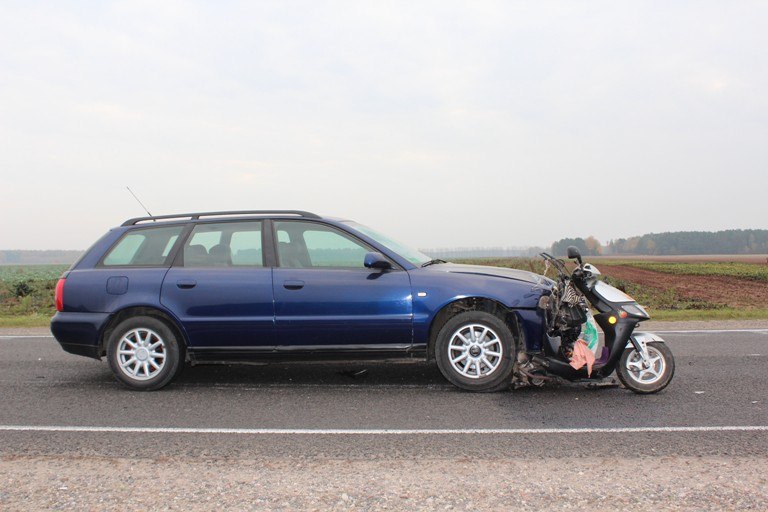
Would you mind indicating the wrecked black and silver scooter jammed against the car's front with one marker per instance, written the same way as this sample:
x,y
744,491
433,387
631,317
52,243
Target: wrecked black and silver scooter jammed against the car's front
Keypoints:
x,y
642,360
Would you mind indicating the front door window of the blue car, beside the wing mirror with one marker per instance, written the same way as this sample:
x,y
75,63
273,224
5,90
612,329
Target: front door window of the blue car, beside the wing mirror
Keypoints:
x,y
314,245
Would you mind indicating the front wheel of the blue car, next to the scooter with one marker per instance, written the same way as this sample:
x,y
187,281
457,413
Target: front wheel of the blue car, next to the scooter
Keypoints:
x,y
468,374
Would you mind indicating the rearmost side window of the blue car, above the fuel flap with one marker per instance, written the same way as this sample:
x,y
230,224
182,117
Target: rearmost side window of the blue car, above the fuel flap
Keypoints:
x,y
146,247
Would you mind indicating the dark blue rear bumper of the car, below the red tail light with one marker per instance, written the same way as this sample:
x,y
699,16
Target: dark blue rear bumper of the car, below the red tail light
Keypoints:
x,y
79,333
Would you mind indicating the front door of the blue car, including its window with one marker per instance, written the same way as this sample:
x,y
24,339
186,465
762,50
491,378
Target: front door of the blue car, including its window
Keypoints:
x,y
326,299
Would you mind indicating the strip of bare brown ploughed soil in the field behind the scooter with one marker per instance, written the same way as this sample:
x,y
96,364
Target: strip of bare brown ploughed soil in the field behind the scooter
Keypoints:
x,y
730,291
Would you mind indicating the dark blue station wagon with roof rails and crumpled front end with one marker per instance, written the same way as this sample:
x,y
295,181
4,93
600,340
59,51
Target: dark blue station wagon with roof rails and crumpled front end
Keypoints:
x,y
160,292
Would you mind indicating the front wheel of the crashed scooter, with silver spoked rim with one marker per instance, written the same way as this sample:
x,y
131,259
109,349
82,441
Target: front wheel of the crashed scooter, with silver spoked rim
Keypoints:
x,y
646,378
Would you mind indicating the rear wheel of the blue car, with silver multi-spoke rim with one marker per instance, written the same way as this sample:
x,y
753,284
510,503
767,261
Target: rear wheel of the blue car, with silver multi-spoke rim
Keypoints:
x,y
139,330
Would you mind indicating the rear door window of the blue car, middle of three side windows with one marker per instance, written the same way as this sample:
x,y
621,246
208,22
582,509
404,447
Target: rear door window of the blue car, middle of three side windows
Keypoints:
x,y
225,244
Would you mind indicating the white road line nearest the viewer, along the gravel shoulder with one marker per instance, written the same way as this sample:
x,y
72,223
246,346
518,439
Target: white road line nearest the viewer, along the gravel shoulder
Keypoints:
x,y
376,431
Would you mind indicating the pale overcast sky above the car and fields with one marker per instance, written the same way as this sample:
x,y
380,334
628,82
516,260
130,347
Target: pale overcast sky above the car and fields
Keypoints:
x,y
441,123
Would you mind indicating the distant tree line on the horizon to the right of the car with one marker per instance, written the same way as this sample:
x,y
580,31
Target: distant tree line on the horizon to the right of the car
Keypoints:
x,y
730,241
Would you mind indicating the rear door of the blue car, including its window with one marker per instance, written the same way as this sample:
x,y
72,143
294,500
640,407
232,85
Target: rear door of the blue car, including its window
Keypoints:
x,y
220,289
